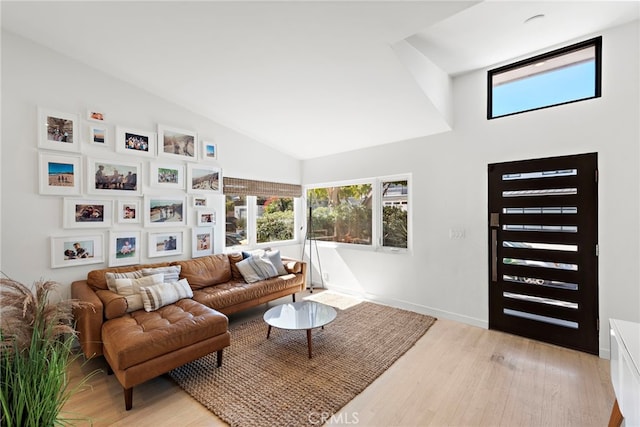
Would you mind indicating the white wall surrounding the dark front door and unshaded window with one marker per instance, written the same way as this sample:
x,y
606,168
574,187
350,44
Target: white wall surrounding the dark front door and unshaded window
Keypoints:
x,y
449,278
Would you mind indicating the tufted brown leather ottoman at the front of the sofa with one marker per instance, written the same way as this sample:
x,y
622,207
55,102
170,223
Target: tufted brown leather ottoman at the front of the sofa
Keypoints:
x,y
142,345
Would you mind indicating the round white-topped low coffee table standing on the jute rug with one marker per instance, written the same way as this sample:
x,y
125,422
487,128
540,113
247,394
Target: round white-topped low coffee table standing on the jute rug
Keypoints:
x,y
298,316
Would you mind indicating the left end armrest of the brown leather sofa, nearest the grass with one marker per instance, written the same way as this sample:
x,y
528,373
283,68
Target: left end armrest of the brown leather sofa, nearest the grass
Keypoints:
x,y
88,319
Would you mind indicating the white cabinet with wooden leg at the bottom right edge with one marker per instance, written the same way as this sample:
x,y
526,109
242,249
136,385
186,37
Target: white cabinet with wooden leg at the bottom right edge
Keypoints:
x,y
625,371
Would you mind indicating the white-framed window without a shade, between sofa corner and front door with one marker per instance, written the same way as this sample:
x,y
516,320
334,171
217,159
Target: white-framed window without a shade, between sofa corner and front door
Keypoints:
x,y
372,214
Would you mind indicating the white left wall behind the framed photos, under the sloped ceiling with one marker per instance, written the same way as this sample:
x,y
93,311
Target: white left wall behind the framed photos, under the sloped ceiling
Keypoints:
x,y
33,76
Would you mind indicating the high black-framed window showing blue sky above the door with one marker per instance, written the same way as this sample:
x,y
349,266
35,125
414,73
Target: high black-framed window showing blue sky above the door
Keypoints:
x,y
559,77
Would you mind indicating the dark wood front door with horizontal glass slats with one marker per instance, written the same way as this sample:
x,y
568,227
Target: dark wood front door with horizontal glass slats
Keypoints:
x,y
543,250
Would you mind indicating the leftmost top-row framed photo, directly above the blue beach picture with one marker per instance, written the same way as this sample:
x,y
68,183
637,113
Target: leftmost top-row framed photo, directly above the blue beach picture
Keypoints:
x,y
58,130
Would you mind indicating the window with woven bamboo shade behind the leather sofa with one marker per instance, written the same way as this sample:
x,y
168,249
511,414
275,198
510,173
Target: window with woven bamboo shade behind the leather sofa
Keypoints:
x,y
259,212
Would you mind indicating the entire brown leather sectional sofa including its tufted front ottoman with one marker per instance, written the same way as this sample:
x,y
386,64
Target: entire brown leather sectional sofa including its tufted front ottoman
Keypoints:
x,y
141,345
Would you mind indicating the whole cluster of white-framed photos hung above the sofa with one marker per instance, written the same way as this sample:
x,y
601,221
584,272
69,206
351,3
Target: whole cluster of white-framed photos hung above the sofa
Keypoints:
x,y
105,192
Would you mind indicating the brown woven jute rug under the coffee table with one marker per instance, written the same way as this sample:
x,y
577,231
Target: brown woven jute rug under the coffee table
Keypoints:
x,y
274,383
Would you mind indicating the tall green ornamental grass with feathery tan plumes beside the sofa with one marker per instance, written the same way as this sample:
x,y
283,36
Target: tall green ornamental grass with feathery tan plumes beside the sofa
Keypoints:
x,y
37,341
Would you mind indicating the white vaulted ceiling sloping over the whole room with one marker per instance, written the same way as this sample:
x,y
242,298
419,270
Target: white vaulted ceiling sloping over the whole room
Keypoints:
x,y
308,78
